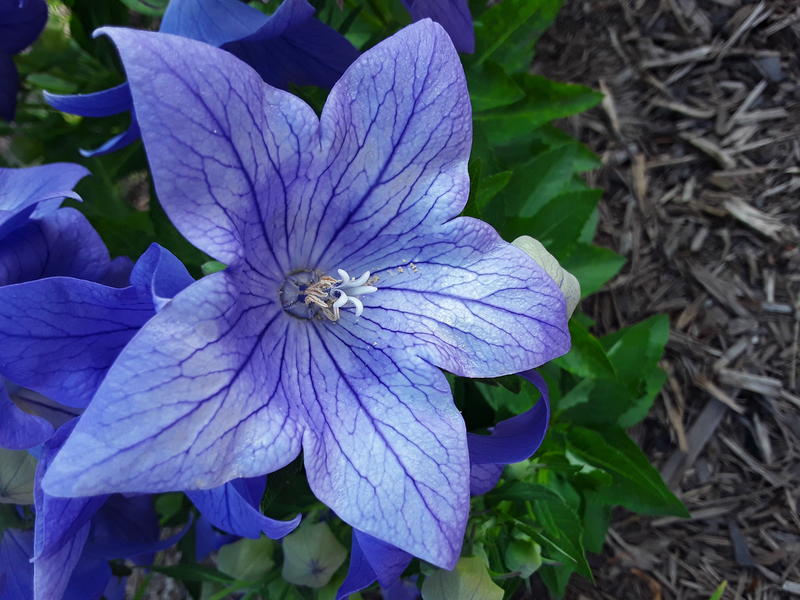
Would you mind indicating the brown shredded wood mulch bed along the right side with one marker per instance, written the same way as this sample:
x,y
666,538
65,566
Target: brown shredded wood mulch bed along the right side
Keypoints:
x,y
700,140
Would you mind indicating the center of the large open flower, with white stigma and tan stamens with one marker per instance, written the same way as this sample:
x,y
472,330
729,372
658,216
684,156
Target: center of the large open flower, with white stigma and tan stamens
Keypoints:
x,y
312,294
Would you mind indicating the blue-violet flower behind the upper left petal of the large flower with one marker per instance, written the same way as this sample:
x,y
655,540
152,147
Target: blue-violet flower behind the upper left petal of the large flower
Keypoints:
x,y
290,46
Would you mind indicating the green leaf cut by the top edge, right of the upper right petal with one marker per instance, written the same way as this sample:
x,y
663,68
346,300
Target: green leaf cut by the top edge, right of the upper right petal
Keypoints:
x,y
507,31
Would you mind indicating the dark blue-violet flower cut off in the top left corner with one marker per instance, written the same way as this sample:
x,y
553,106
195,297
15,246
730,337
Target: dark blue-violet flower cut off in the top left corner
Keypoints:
x,y
21,22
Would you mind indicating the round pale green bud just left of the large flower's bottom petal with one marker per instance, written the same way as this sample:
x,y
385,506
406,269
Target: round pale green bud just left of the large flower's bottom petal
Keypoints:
x,y
311,555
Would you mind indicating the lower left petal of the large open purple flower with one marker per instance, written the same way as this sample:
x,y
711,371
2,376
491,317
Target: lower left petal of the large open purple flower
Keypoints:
x,y
191,402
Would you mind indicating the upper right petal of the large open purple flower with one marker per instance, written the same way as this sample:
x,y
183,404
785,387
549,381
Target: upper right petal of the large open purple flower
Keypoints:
x,y
396,131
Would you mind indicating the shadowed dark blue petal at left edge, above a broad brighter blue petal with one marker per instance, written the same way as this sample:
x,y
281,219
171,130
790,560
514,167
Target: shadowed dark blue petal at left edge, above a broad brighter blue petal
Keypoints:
x,y
60,243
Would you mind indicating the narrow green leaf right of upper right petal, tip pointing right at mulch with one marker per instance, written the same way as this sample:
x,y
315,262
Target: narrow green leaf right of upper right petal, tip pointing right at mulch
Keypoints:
x,y
544,101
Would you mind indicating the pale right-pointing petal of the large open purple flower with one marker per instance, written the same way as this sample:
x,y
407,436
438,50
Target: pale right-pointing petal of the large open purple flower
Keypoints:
x,y
468,301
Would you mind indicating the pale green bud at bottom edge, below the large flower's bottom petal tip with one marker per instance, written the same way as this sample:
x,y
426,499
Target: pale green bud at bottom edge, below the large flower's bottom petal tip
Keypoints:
x,y
468,581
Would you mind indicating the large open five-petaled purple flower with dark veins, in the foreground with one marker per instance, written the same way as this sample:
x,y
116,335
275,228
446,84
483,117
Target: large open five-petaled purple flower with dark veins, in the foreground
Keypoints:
x,y
283,350
